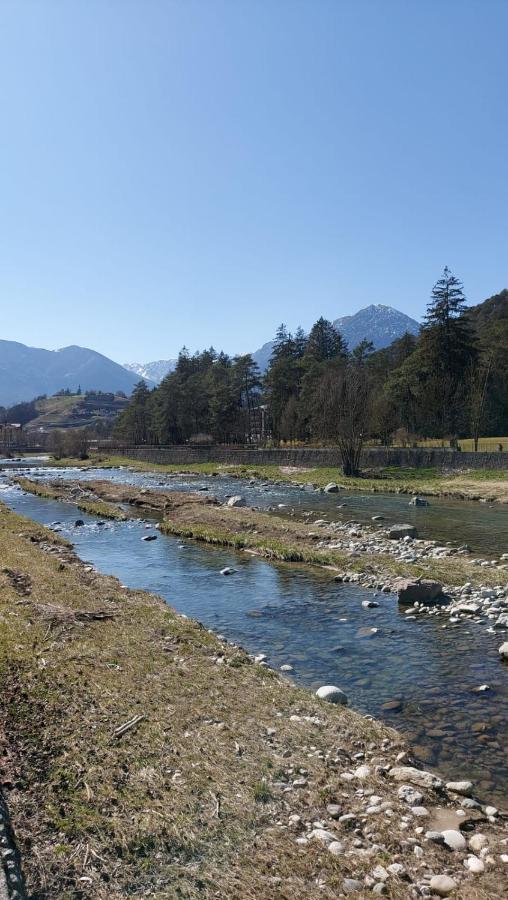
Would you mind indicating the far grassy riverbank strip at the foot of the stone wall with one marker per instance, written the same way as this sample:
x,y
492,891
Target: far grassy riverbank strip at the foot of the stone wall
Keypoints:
x,y
490,485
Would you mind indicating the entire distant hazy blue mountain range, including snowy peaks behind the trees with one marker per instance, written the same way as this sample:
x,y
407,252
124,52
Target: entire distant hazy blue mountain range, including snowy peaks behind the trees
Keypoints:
x,y
28,372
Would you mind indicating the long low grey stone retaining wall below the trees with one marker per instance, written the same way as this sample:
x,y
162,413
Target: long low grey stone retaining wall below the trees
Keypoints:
x,y
372,457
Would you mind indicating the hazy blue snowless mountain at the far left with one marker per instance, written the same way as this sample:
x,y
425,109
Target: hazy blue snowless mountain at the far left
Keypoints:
x,y
28,372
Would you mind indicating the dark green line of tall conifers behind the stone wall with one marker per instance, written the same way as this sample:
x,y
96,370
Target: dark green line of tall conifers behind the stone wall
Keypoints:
x,y
445,383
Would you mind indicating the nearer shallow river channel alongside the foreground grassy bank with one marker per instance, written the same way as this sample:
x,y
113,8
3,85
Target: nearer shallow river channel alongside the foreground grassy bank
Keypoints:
x,y
414,674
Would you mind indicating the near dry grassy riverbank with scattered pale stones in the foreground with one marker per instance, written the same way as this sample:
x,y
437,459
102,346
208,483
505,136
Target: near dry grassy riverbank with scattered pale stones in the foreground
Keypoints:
x,y
141,755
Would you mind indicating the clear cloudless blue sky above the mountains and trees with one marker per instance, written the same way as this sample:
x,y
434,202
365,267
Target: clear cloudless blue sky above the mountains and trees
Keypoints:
x,y
199,171
